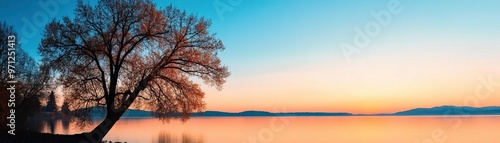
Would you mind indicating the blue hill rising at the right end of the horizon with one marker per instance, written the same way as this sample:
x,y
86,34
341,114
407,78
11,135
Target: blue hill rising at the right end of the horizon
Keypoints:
x,y
452,110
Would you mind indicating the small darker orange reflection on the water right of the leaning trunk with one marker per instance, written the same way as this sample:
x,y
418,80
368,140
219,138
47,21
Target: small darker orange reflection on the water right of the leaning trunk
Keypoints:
x,y
166,137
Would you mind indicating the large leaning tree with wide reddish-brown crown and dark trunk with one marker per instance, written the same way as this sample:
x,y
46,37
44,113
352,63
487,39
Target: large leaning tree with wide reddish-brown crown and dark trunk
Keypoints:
x,y
121,52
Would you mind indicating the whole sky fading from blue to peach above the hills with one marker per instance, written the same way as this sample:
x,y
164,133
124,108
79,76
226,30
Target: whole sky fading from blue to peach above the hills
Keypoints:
x,y
291,55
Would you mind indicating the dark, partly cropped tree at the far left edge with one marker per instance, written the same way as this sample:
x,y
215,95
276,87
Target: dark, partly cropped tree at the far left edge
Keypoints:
x,y
31,79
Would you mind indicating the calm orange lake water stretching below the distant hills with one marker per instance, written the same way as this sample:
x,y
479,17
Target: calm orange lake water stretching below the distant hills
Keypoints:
x,y
354,129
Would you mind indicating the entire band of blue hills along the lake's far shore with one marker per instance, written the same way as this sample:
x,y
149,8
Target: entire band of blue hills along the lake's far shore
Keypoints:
x,y
99,112
